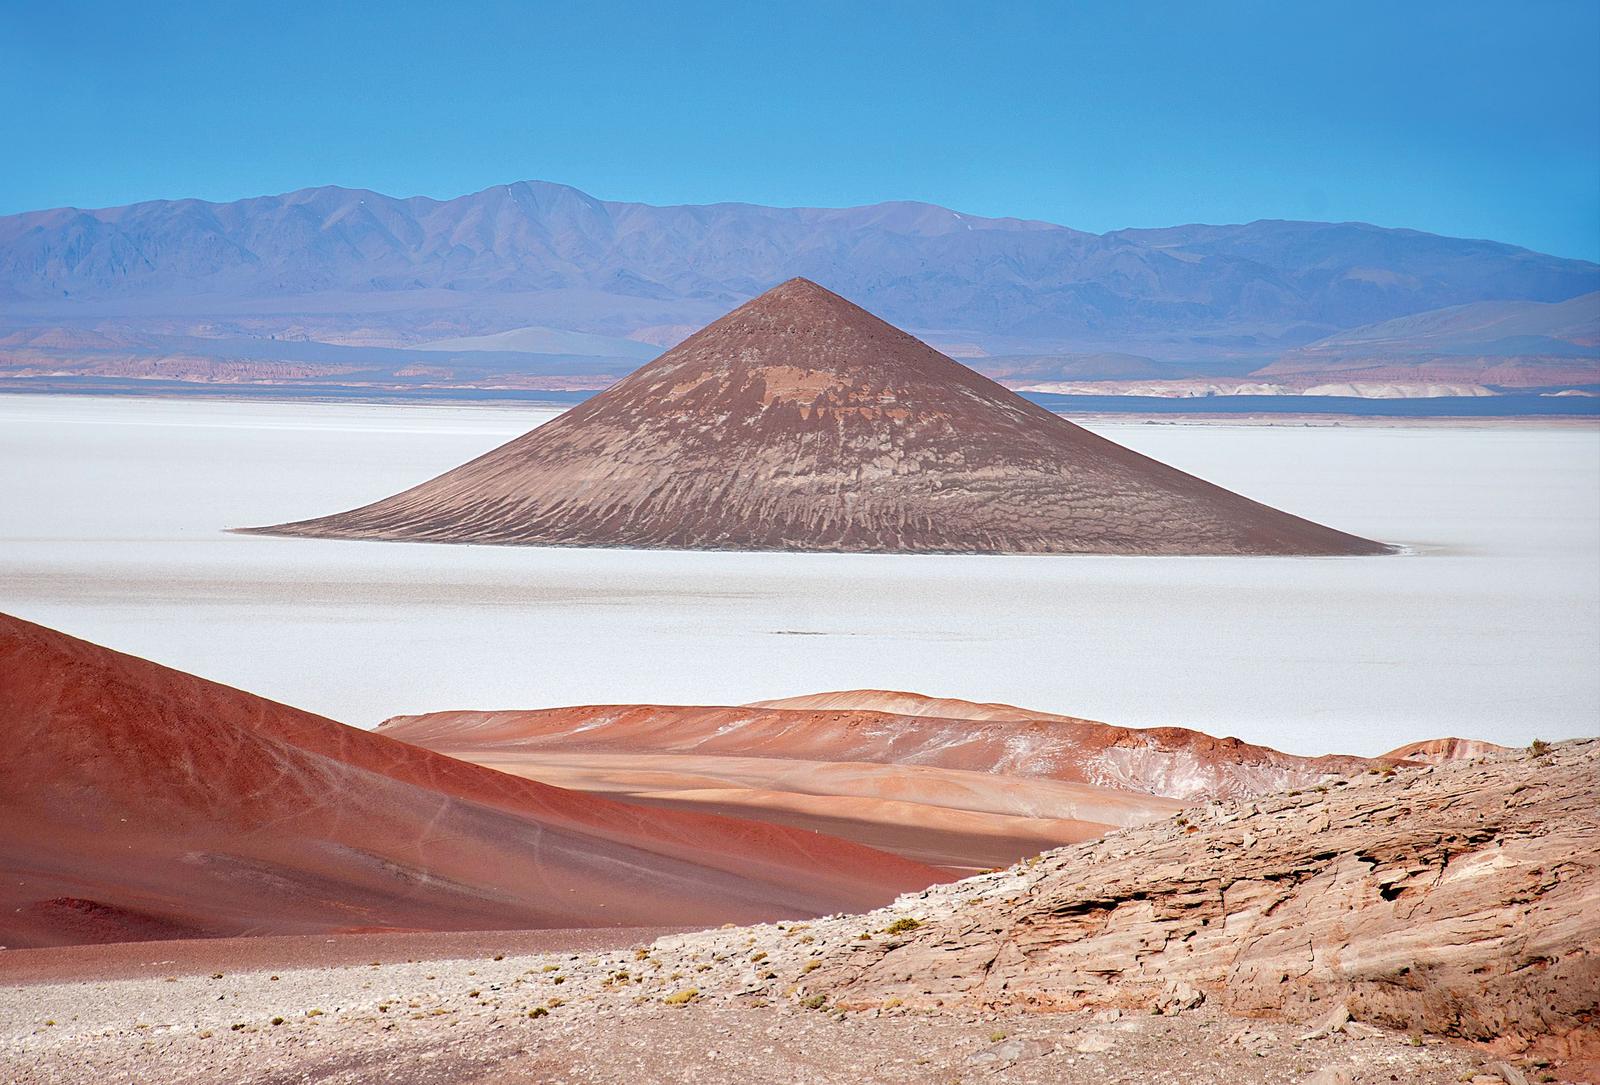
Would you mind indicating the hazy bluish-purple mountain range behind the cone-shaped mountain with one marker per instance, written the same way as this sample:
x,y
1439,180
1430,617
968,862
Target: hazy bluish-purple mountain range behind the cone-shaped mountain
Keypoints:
x,y
498,282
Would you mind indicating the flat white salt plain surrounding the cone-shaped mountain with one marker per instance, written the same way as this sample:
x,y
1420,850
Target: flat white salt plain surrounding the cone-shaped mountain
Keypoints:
x,y
114,514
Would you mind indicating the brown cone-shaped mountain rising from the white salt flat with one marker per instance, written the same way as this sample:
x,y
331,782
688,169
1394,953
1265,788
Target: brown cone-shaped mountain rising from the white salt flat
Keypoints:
x,y
804,423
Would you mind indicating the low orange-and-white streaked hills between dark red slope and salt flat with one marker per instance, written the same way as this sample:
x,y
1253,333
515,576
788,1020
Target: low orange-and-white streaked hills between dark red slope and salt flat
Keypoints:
x,y
950,783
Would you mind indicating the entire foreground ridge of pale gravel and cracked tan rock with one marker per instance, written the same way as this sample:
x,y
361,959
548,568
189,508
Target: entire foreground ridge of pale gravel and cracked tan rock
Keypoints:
x,y
1390,919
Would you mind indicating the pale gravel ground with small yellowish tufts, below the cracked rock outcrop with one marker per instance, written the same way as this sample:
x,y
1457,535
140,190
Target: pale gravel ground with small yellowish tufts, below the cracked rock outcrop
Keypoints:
x,y
727,1006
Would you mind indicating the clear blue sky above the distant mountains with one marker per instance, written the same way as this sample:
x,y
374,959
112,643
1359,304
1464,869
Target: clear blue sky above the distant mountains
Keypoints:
x,y
1468,119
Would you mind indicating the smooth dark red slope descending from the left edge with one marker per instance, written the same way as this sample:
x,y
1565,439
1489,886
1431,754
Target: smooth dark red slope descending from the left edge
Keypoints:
x,y
143,803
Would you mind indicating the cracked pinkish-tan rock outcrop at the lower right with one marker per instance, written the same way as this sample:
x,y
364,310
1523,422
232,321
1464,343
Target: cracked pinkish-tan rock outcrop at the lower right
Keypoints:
x,y
1457,900
